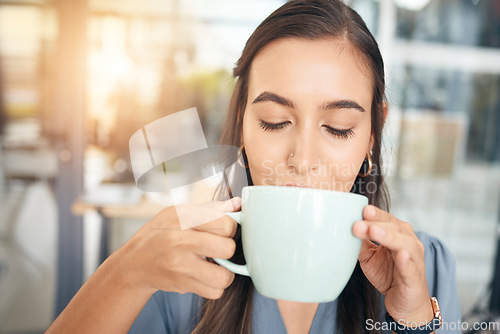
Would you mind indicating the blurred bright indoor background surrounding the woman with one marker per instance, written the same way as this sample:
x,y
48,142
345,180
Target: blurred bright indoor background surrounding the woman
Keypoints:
x,y
79,77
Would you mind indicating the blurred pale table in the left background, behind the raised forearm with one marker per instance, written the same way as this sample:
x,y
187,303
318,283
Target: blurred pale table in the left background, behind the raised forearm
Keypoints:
x,y
115,201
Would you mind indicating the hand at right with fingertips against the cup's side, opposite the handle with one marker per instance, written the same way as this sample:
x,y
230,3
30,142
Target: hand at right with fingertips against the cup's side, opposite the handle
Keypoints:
x,y
396,267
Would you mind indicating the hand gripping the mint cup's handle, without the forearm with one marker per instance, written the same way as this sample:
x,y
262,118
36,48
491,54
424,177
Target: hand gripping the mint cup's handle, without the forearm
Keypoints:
x,y
162,256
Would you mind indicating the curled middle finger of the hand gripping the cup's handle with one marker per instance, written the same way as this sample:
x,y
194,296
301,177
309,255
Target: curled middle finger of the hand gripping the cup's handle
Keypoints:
x,y
211,245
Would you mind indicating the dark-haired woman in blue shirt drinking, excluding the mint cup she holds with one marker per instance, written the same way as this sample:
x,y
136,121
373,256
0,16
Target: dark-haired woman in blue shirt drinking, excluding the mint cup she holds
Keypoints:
x,y
308,110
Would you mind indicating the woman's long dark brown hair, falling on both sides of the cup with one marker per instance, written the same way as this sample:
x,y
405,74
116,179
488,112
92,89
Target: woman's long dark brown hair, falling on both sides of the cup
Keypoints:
x,y
309,19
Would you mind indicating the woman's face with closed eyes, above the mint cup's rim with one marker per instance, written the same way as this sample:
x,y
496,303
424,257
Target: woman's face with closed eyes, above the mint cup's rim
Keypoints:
x,y
311,99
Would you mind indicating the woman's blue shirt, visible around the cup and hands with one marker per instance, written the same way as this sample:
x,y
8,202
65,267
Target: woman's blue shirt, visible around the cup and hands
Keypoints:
x,y
172,313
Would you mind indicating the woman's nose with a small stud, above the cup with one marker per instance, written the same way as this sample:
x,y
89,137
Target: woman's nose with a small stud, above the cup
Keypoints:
x,y
305,147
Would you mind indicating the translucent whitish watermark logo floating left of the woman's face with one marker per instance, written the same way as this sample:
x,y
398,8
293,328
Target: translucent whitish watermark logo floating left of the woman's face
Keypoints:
x,y
171,155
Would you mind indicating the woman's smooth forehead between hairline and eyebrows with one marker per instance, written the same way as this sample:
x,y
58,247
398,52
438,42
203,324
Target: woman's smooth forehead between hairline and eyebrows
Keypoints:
x,y
321,66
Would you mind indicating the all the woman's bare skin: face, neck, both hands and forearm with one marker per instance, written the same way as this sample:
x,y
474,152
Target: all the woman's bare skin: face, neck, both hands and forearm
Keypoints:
x,y
162,256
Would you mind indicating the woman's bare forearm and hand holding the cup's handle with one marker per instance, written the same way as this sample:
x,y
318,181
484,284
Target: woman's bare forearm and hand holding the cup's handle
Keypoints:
x,y
159,256
